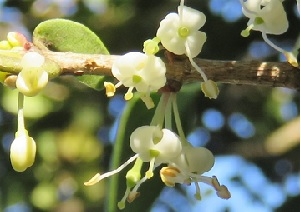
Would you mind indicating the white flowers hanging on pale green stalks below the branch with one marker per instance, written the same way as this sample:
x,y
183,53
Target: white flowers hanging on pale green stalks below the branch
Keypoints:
x,y
157,144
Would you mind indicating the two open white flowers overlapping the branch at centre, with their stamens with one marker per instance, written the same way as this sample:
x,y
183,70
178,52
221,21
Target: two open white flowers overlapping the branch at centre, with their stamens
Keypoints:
x,y
178,33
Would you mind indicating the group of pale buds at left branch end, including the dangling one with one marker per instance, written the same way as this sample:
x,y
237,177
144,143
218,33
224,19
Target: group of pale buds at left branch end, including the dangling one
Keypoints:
x,y
29,82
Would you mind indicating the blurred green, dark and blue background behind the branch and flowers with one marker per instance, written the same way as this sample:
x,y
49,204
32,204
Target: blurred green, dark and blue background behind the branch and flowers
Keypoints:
x,y
254,132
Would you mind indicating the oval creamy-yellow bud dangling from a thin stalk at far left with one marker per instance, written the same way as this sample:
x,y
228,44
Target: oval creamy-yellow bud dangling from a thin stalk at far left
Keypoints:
x,y
22,151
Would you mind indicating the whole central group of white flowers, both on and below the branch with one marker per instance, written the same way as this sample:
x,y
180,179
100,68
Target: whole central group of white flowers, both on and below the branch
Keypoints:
x,y
157,143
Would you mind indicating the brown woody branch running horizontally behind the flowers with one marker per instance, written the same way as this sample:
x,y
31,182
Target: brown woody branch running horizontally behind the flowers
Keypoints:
x,y
179,69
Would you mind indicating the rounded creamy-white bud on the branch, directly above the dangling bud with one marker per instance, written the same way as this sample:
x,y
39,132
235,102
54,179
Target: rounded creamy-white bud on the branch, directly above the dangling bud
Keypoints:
x,y
32,78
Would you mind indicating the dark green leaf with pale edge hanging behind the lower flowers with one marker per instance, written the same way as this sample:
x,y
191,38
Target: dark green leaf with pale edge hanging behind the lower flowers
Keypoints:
x,y
134,115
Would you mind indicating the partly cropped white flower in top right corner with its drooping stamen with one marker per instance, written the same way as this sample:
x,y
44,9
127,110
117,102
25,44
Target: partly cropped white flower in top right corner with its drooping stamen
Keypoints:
x,y
268,17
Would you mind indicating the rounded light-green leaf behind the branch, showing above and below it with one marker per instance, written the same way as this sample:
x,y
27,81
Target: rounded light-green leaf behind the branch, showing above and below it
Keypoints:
x,y
63,35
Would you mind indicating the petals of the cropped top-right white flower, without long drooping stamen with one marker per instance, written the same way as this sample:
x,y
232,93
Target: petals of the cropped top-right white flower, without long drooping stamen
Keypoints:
x,y
267,16
